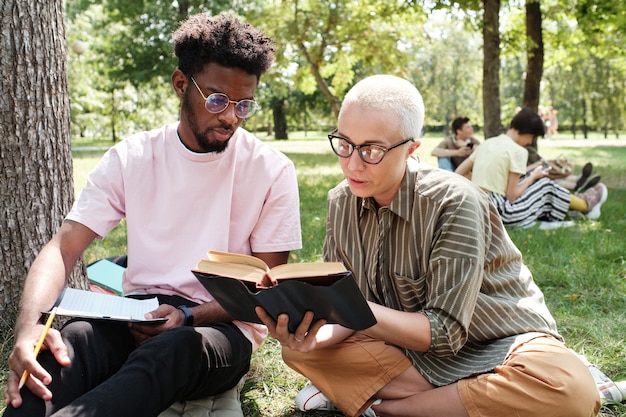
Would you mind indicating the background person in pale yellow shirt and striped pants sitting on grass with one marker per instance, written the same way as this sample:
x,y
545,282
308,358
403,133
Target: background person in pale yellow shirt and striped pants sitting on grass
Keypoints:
x,y
499,168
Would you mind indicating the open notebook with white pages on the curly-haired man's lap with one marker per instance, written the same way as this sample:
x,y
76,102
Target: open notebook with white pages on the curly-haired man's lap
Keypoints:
x,y
87,304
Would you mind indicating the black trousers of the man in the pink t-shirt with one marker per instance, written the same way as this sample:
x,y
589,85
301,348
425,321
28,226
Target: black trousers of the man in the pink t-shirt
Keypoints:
x,y
110,376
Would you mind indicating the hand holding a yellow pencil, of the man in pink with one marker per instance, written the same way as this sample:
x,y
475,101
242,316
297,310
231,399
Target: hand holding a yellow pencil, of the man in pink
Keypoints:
x,y
23,359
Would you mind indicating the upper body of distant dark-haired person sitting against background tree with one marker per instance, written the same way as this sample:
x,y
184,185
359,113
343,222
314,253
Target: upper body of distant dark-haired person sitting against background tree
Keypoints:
x,y
454,149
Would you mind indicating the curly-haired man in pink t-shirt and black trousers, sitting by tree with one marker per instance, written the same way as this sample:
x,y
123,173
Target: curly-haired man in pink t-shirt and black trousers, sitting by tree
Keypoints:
x,y
201,183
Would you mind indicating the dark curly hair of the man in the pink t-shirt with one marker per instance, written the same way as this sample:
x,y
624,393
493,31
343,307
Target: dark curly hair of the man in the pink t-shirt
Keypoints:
x,y
224,40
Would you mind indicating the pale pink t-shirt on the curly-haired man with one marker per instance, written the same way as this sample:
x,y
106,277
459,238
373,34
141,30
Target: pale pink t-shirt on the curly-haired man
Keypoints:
x,y
178,204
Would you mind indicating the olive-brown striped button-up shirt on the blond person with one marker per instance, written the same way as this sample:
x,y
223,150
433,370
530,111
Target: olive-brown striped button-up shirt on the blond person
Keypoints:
x,y
440,249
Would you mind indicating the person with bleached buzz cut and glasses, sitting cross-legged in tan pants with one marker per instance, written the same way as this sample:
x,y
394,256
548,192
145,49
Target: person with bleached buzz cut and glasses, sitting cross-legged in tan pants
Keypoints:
x,y
462,329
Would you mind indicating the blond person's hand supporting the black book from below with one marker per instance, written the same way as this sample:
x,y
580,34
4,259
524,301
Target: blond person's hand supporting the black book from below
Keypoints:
x,y
303,340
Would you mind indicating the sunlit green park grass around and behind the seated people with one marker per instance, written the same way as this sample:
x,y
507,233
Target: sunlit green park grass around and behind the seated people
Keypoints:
x,y
581,269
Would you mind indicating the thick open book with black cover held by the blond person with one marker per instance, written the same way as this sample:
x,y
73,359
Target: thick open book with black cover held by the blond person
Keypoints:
x,y
239,283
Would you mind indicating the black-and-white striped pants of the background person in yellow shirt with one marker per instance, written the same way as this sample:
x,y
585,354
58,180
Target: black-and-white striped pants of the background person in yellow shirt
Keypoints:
x,y
544,200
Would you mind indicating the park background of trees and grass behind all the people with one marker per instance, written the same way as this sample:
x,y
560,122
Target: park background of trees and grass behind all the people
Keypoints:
x,y
83,74
